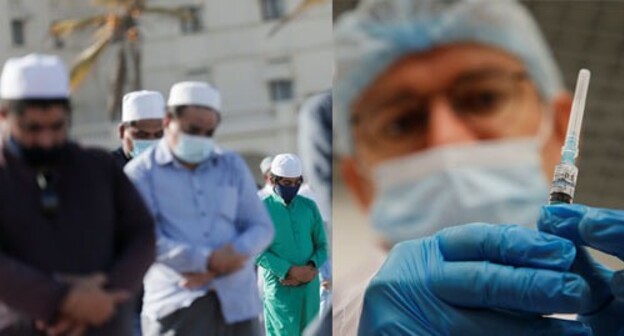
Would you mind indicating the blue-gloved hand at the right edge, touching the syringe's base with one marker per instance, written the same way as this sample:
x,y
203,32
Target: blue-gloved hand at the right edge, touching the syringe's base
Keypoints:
x,y
602,229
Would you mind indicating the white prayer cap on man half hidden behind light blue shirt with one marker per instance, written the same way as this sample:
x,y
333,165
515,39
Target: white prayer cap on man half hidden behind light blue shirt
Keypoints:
x,y
139,105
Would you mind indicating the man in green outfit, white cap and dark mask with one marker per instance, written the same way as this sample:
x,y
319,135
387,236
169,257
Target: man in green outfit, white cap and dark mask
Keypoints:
x,y
290,264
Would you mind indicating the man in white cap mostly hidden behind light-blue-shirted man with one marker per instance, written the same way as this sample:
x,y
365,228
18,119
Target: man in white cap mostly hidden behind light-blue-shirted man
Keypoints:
x,y
141,126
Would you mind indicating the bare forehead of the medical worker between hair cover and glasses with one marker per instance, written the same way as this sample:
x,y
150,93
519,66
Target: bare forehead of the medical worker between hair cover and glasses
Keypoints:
x,y
438,68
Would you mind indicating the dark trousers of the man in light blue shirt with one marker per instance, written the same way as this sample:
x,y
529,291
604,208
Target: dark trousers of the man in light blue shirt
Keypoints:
x,y
202,318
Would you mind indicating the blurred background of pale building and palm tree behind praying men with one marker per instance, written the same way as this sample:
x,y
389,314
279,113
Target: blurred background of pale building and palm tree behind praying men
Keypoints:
x,y
265,56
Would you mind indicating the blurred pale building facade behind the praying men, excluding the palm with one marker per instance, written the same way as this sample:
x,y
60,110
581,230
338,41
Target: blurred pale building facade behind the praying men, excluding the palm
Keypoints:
x,y
263,79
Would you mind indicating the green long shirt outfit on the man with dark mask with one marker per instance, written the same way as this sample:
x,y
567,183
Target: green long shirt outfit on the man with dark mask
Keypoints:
x,y
299,239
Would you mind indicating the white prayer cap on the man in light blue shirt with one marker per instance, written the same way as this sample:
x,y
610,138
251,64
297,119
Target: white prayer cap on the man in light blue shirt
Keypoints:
x,y
194,93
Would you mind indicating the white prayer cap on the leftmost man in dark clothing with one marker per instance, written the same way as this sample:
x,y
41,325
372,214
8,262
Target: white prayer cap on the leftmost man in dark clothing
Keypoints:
x,y
34,76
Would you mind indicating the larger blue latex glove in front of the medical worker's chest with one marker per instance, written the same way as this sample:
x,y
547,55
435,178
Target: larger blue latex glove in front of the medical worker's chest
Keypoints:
x,y
476,279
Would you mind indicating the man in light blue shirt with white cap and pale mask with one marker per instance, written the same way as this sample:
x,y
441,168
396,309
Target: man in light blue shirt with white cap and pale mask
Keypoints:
x,y
209,223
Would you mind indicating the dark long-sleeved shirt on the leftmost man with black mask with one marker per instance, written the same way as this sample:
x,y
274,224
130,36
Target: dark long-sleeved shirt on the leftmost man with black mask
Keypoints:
x,y
101,225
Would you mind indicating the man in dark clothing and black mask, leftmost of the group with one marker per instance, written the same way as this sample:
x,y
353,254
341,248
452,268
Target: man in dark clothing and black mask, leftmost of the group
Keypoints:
x,y
75,236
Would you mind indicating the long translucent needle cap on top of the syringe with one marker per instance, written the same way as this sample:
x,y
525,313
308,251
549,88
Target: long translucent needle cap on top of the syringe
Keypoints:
x,y
570,147
